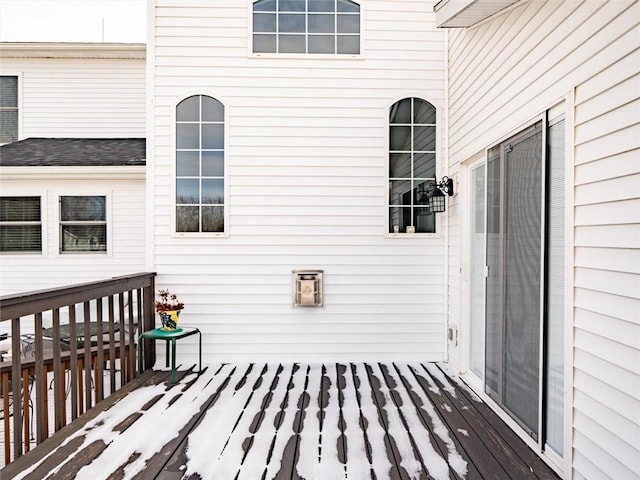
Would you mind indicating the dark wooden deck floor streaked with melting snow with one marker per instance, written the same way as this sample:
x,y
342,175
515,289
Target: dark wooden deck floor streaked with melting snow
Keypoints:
x,y
325,422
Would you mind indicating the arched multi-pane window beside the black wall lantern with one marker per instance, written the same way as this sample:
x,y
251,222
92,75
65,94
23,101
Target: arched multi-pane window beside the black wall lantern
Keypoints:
x,y
412,165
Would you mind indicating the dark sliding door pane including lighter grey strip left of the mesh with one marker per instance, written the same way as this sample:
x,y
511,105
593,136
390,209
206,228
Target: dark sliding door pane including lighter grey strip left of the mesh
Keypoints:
x,y
514,257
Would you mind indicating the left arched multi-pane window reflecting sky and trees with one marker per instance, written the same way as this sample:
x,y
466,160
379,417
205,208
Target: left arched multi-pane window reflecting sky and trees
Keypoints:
x,y
200,165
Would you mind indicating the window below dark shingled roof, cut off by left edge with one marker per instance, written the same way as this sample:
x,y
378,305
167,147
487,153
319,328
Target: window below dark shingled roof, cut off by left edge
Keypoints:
x,y
20,225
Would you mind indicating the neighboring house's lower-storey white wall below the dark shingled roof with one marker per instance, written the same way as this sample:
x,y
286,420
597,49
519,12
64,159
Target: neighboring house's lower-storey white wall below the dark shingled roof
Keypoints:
x,y
125,195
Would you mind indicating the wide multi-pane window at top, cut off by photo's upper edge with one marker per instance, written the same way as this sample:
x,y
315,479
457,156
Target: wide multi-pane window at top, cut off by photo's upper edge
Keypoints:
x,y
306,26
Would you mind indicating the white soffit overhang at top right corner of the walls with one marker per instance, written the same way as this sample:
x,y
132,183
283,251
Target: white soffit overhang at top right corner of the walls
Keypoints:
x,y
465,13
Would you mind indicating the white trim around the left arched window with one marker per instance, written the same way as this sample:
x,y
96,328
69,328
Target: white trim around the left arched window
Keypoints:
x,y
172,168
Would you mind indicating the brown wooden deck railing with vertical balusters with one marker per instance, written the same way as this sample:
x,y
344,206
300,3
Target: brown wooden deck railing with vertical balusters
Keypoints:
x,y
70,347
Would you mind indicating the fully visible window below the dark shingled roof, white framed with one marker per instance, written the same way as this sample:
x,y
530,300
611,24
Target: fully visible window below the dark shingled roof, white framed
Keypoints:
x,y
83,224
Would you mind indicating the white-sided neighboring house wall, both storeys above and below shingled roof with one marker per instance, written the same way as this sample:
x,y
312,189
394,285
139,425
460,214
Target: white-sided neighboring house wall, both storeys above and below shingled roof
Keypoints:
x,y
77,91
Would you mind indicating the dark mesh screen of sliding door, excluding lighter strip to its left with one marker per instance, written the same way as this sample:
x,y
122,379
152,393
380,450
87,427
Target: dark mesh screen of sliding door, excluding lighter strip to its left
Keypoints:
x,y
522,270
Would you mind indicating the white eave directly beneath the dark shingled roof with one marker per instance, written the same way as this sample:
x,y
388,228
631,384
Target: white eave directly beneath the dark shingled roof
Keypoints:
x,y
118,172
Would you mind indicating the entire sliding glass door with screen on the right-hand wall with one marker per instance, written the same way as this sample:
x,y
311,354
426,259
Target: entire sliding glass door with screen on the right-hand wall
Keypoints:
x,y
516,278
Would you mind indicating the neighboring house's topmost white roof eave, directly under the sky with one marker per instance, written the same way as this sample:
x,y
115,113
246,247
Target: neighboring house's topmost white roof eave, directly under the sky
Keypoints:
x,y
134,51
